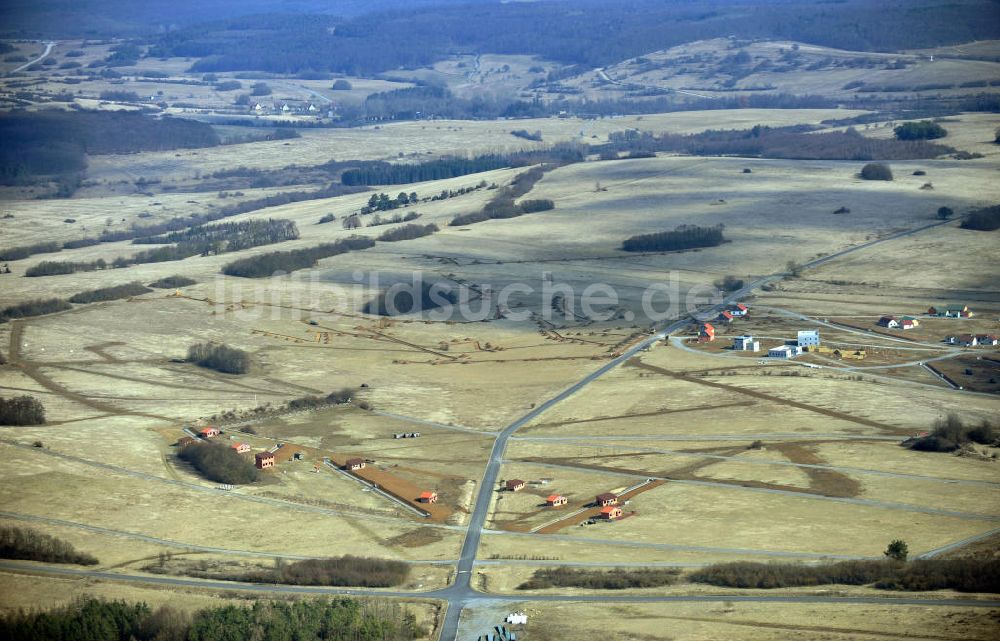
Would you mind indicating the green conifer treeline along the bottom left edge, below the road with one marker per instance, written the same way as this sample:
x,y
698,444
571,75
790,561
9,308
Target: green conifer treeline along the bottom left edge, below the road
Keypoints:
x,y
337,619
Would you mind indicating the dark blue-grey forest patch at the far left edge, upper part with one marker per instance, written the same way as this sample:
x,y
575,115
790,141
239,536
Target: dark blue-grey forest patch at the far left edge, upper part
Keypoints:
x,y
56,143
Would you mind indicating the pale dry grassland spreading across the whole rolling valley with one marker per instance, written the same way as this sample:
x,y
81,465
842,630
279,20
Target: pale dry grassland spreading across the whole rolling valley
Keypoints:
x,y
722,456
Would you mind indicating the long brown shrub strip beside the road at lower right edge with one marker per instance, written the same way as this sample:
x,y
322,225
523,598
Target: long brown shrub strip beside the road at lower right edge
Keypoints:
x,y
964,575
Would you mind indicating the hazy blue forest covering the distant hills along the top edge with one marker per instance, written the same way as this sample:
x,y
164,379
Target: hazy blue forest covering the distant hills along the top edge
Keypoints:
x,y
589,32
